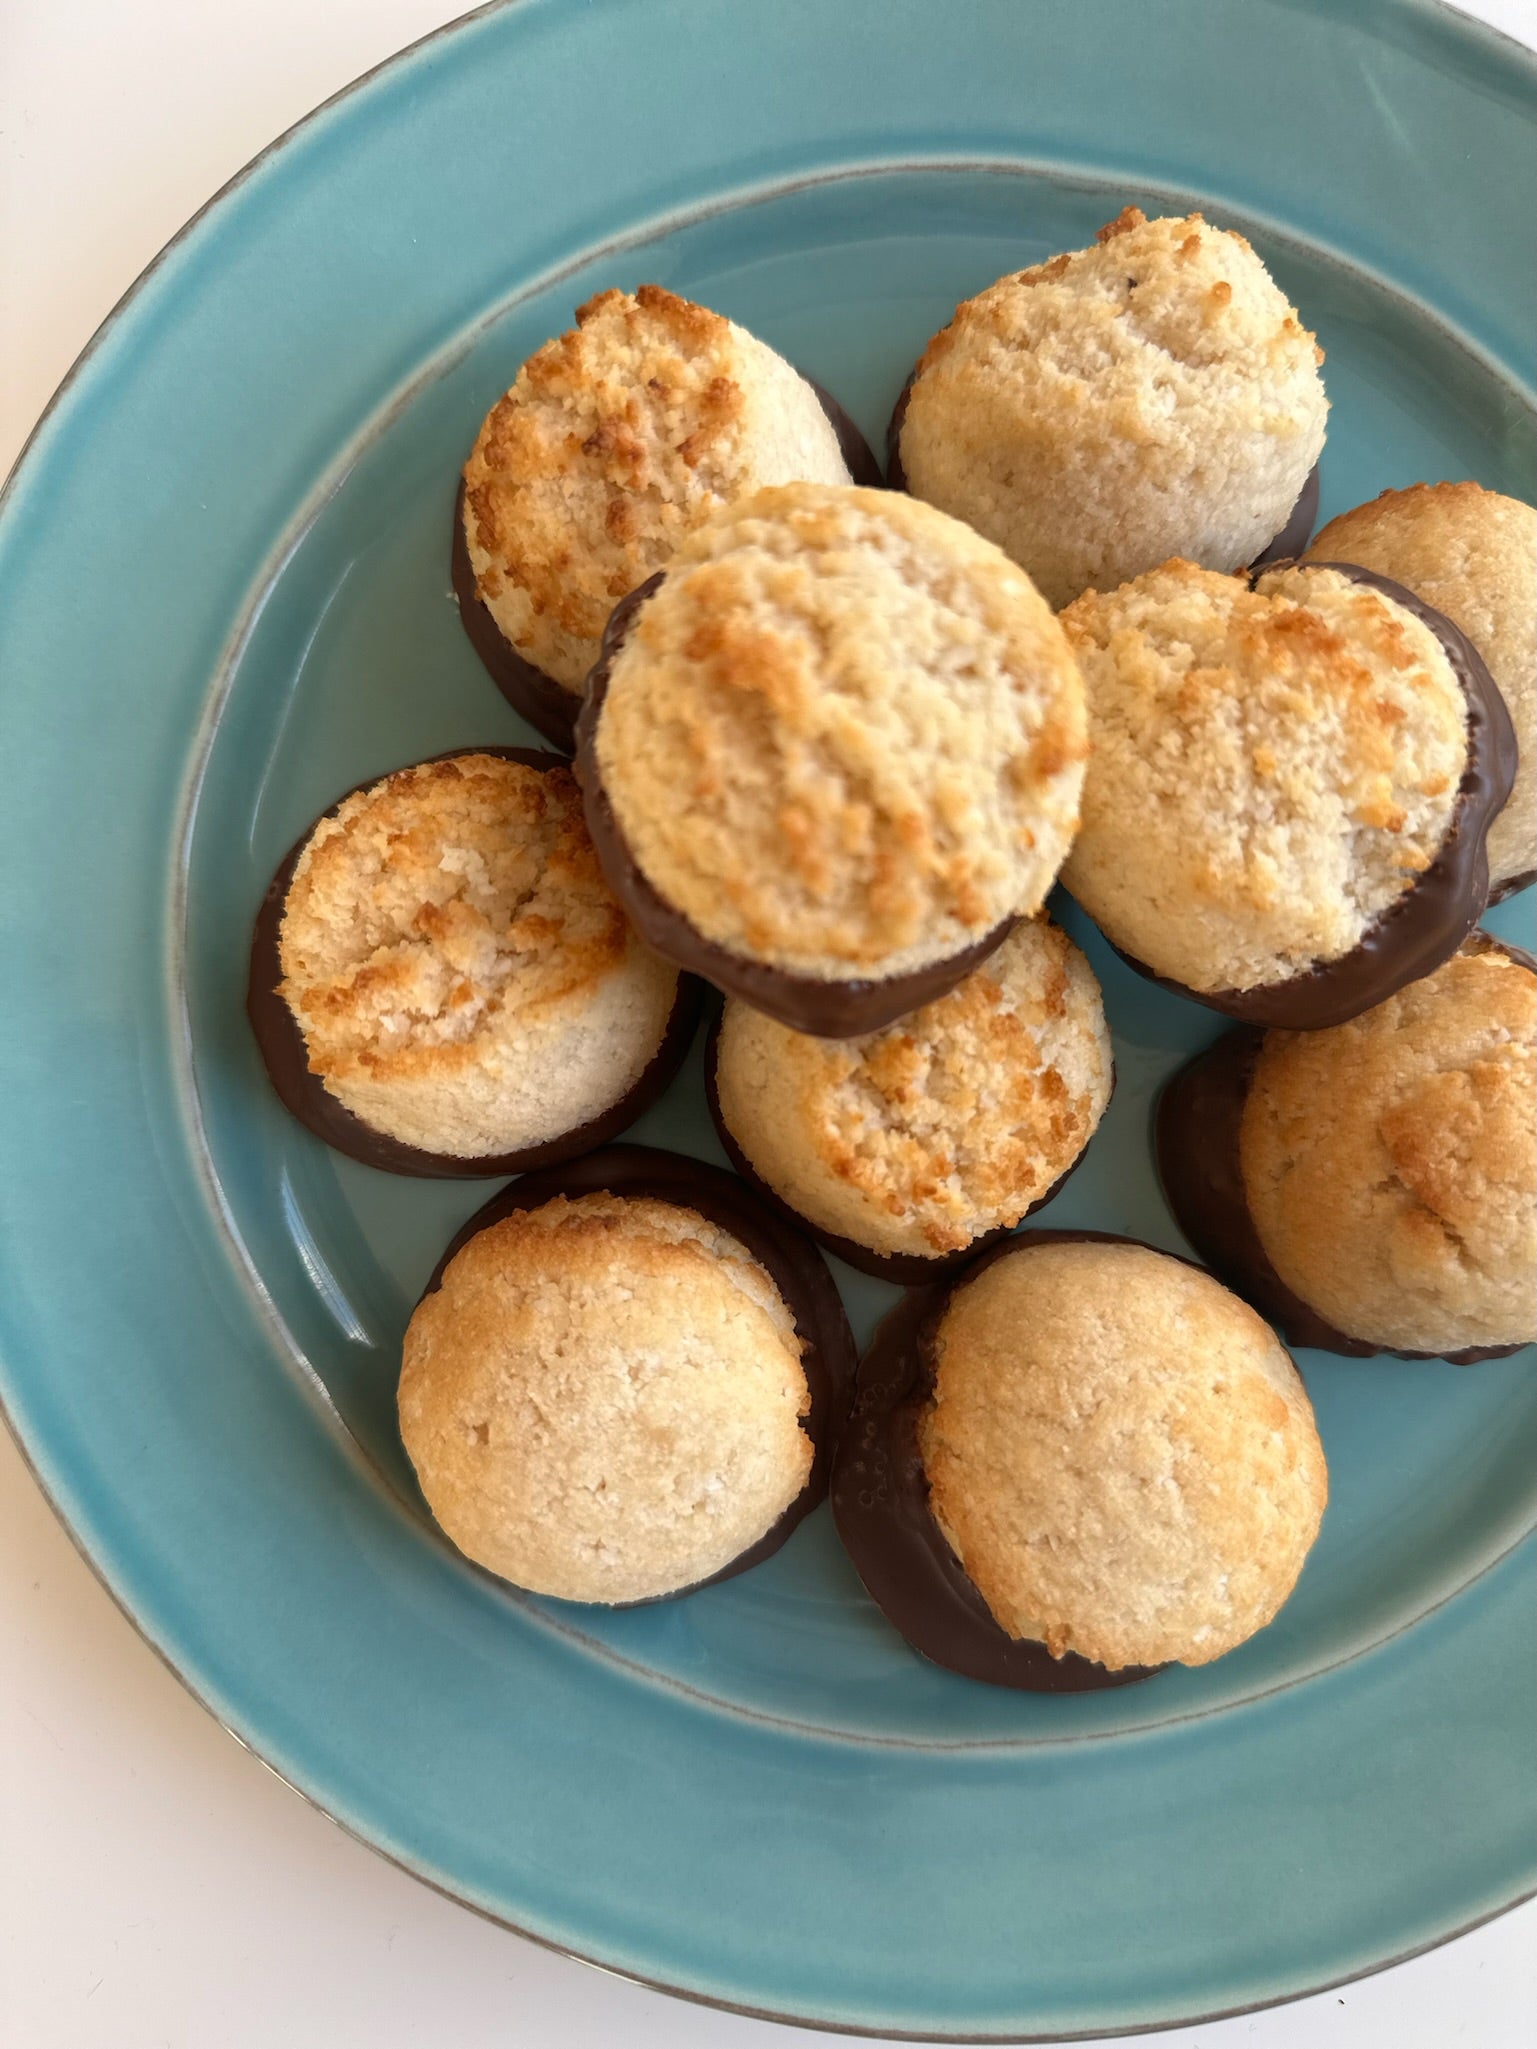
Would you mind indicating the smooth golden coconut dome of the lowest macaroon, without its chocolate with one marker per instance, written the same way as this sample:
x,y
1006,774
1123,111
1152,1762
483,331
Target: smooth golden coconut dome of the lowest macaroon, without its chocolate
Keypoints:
x,y
1120,1454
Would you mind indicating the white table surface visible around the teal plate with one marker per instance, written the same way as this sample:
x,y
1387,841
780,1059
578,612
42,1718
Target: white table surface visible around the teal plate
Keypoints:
x,y
159,1888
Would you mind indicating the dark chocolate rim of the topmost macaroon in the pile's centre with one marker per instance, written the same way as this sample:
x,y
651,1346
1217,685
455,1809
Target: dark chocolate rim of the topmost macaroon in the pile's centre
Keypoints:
x,y
804,1003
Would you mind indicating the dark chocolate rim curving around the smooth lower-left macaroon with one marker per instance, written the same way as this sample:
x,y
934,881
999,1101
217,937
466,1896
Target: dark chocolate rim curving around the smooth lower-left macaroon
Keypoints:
x,y
794,1267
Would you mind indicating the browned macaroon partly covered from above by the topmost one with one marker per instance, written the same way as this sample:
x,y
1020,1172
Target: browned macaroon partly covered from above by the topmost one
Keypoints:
x,y
905,1148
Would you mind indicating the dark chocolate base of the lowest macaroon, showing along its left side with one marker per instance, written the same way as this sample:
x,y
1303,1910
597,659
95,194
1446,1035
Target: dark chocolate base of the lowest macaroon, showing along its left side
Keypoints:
x,y
880,1503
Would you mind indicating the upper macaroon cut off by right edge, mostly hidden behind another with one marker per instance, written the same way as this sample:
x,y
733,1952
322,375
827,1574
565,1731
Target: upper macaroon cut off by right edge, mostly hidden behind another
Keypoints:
x,y
1470,554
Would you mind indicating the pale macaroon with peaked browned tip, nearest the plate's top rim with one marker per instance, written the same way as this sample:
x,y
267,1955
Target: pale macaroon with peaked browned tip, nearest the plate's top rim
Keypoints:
x,y
1099,413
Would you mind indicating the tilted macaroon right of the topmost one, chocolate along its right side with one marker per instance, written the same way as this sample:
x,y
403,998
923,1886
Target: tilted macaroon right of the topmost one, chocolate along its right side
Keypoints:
x,y
1290,788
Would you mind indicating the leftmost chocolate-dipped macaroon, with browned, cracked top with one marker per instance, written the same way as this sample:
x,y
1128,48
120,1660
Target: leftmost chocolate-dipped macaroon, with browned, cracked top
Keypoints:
x,y
444,985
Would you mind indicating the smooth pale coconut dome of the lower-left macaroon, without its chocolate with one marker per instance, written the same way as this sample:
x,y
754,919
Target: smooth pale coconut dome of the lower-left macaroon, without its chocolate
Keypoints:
x,y
604,1400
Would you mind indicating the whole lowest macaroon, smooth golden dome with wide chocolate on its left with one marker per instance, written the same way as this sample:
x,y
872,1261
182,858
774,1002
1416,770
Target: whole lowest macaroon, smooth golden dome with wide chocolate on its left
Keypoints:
x,y
1079,1462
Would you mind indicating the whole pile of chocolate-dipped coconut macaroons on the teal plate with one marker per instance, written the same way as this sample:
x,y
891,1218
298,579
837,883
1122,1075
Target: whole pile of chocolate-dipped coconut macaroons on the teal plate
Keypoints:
x,y
835,745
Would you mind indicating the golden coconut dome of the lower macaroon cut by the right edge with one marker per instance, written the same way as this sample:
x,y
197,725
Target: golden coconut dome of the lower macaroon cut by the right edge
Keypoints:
x,y
1390,1163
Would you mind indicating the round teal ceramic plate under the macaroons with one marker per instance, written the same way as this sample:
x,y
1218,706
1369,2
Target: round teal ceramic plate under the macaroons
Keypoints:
x,y
224,597
